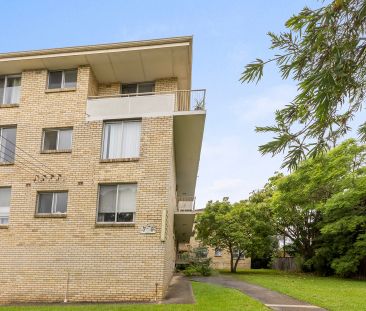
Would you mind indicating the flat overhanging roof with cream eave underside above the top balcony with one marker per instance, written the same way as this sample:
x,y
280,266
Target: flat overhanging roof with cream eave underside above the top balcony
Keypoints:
x,y
131,61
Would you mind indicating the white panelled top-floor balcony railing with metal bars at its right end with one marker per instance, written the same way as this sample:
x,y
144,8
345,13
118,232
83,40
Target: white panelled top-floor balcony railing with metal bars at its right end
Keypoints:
x,y
144,104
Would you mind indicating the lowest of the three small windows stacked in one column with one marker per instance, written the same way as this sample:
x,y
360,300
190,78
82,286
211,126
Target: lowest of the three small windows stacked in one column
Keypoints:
x,y
52,202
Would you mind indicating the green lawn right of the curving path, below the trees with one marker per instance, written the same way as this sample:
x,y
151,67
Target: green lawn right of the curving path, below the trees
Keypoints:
x,y
329,292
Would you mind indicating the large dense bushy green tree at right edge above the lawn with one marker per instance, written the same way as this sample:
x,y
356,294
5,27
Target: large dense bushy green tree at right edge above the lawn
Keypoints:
x,y
320,207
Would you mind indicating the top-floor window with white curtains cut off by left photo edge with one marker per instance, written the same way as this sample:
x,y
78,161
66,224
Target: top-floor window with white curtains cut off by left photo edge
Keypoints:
x,y
10,90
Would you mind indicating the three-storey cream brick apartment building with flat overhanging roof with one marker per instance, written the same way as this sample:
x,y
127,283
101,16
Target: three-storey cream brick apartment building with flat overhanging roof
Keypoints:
x,y
99,153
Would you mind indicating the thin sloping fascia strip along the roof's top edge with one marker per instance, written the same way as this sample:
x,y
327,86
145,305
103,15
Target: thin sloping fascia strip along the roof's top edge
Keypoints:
x,y
96,47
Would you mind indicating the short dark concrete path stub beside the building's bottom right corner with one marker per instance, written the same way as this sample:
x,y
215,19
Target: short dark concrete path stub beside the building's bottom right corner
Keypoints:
x,y
179,291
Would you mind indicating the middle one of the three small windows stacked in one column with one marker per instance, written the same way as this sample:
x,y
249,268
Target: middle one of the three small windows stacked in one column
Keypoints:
x,y
57,139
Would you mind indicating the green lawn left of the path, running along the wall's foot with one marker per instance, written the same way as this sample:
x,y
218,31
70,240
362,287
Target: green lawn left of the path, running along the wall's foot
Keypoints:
x,y
208,298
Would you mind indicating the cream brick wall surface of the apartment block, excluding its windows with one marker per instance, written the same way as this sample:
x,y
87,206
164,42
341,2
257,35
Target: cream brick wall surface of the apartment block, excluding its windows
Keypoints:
x,y
103,263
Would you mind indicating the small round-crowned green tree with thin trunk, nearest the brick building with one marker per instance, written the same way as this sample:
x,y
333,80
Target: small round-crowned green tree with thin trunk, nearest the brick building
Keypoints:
x,y
240,228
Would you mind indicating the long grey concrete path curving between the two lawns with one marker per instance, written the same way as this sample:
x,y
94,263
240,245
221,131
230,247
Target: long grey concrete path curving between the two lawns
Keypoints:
x,y
271,299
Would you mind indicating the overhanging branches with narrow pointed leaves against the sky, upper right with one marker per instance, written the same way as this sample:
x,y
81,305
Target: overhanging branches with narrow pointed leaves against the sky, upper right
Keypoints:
x,y
324,50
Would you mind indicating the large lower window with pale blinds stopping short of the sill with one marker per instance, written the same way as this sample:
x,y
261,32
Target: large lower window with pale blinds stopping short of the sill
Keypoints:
x,y
117,203
